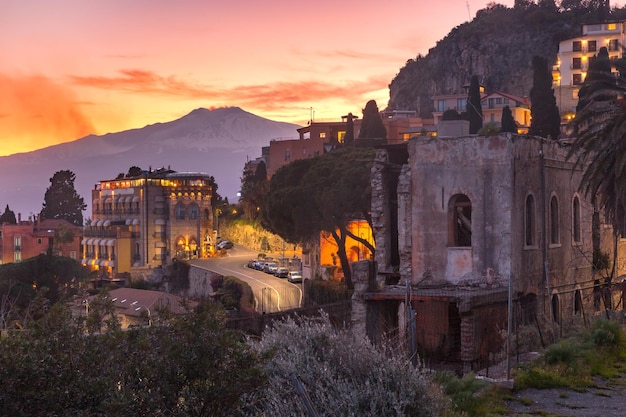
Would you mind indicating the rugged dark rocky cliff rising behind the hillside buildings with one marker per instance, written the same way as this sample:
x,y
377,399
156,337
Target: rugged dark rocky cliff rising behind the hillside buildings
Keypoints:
x,y
497,46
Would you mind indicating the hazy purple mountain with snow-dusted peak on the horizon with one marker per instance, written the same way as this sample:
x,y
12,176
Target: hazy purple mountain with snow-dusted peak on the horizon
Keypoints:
x,y
218,142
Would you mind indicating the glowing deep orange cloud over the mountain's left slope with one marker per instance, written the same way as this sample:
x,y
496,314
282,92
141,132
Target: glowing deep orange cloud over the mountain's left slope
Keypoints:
x,y
37,112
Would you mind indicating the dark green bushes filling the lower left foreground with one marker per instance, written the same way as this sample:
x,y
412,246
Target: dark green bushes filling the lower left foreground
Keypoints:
x,y
192,366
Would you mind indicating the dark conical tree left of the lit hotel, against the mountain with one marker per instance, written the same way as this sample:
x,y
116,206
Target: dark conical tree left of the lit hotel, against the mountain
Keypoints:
x,y
61,200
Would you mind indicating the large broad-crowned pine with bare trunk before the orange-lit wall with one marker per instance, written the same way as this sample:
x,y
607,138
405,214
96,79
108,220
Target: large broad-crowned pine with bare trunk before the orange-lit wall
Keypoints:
x,y
318,194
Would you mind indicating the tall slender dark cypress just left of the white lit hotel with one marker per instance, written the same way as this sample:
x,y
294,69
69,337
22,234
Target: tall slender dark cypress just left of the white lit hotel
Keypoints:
x,y
545,119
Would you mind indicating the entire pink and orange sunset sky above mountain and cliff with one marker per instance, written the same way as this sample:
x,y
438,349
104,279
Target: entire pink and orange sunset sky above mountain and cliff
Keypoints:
x,y
69,68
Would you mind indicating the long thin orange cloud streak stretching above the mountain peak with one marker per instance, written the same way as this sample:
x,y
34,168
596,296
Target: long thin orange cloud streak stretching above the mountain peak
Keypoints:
x,y
272,96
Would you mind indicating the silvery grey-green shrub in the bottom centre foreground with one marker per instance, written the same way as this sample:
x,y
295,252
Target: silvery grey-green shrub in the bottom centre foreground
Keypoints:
x,y
343,375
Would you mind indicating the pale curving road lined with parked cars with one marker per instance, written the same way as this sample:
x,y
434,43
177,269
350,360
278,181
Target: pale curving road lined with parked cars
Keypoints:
x,y
271,294
